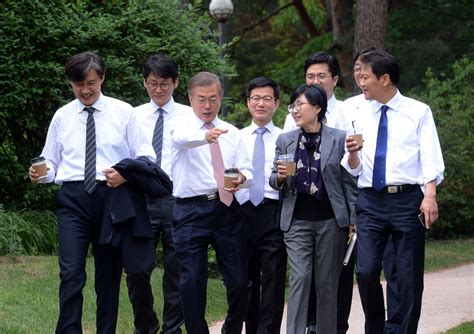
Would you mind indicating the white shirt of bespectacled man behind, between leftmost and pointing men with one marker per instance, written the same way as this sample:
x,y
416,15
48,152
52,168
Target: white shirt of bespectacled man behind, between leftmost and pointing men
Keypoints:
x,y
174,112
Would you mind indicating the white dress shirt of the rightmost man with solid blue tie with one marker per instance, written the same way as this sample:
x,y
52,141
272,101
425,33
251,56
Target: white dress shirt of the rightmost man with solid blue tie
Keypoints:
x,y
413,150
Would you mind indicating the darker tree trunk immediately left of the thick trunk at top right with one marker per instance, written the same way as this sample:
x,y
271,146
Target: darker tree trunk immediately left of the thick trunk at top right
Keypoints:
x,y
342,30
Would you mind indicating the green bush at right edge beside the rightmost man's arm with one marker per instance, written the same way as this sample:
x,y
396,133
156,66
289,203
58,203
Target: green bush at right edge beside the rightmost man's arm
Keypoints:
x,y
449,96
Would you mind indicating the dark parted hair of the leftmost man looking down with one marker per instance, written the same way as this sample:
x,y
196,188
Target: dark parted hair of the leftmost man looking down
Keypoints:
x,y
77,66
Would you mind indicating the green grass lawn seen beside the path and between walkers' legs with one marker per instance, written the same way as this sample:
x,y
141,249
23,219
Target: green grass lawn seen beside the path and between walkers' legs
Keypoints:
x,y
29,291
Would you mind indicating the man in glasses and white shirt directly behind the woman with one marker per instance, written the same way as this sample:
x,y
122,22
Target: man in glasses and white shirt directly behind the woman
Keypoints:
x,y
322,69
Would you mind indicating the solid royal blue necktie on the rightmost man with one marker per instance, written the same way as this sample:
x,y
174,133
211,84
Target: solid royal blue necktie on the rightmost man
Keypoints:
x,y
380,160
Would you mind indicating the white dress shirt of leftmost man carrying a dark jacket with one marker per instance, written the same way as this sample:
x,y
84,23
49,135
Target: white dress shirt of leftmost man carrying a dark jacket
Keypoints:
x,y
118,136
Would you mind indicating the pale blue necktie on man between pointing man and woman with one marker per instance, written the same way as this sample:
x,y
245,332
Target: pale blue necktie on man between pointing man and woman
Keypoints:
x,y
258,182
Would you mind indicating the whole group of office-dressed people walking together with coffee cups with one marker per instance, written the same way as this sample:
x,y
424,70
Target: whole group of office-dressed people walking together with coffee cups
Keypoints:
x,y
132,177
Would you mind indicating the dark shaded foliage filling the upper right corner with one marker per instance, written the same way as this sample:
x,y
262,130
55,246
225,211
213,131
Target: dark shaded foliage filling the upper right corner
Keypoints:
x,y
418,41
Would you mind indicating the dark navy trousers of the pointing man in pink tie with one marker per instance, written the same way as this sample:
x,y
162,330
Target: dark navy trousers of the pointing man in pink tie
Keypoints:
x,y
198,225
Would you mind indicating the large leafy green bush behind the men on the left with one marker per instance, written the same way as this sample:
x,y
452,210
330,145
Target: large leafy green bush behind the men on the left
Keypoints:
x,y
38,37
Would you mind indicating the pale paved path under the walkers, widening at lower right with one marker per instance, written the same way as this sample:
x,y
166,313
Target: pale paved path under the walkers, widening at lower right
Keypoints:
x,y
448,300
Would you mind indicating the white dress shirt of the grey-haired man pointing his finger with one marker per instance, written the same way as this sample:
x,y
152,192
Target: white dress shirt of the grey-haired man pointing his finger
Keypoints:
x,y
191,167
